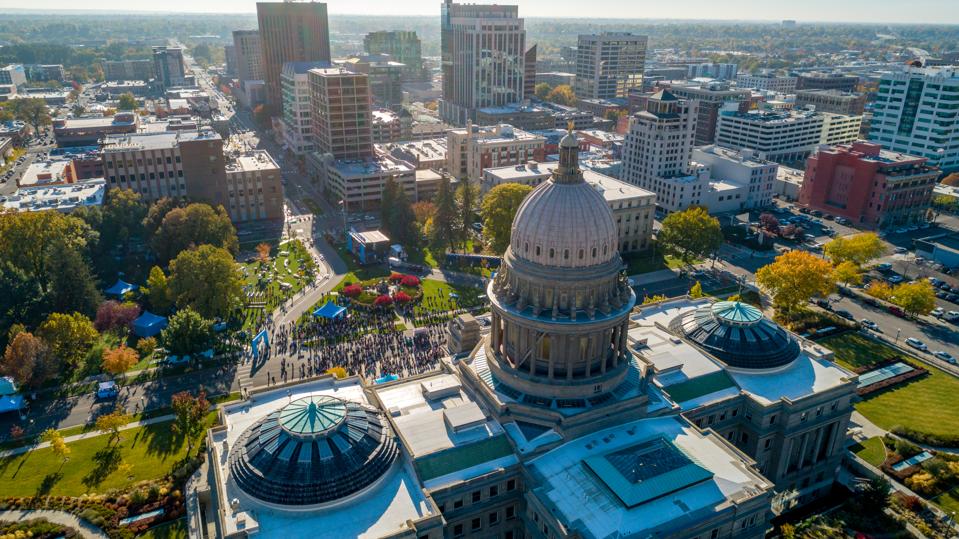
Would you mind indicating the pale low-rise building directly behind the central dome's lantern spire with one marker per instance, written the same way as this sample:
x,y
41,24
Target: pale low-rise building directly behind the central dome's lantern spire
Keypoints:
x,y
633,208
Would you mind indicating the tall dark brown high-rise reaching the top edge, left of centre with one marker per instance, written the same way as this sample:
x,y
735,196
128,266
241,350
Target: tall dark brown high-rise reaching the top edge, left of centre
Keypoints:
x,y
290,32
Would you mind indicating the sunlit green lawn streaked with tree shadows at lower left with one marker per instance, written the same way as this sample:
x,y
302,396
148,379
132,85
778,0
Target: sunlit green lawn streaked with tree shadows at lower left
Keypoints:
x,y
94,465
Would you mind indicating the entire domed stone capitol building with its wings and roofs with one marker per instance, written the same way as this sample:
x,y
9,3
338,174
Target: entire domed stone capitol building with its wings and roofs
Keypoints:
x,y
578,414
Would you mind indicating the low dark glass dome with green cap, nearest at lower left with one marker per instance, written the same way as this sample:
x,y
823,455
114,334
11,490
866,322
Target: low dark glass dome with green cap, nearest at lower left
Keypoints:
x,y
314,450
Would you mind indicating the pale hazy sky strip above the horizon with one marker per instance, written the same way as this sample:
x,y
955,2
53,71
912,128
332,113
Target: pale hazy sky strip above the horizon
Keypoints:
x,y
933,11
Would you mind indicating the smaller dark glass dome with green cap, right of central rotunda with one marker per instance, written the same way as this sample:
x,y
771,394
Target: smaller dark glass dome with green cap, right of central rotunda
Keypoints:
x,y
739,335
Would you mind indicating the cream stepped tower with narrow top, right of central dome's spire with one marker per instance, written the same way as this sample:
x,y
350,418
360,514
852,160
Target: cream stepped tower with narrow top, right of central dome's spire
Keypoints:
x,y
660,141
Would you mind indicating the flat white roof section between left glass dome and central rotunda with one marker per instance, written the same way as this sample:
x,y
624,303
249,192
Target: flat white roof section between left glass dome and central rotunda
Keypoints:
x,y
448,435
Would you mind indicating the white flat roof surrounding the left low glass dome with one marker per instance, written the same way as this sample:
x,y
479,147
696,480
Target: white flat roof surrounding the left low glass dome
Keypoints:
x,y
382,508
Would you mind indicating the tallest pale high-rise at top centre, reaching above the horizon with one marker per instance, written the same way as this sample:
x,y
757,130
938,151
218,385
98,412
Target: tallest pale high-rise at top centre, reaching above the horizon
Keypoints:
x,y
483,58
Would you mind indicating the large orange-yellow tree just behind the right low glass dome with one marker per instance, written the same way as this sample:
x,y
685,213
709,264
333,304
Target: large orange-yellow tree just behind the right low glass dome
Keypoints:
x,y
794,277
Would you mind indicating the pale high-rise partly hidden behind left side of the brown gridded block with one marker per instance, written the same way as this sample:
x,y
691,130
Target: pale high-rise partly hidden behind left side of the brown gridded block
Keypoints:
x,y
296,121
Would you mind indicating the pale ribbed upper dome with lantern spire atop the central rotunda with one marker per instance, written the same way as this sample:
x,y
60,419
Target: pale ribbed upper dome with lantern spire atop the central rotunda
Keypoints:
x,y
565,222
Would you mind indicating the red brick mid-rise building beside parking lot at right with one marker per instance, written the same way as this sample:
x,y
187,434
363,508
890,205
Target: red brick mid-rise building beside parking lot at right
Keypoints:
x,y
872,187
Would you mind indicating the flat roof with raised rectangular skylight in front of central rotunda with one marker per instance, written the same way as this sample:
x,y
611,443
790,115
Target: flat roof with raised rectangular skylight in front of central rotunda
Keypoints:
x,y
643,478
